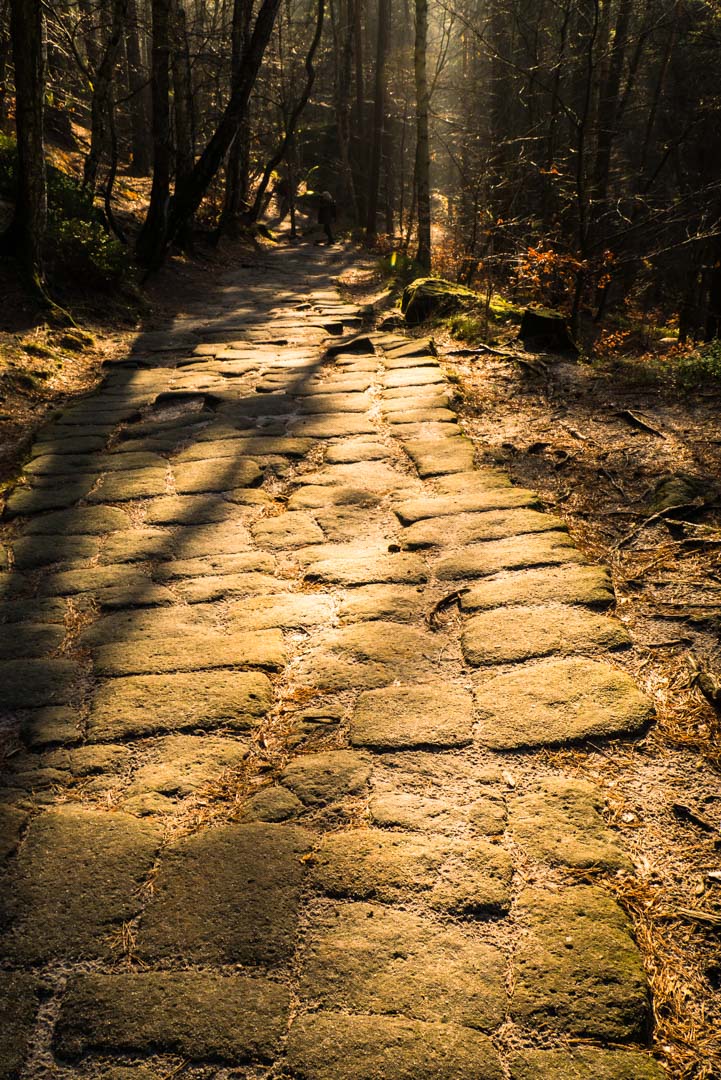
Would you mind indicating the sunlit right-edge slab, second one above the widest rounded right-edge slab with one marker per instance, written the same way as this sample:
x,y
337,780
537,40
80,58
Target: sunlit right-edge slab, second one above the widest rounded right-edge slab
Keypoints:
x,y
588,586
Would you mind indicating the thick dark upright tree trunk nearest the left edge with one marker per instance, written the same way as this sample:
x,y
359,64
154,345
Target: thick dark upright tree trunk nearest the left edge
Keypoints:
x,y
24,237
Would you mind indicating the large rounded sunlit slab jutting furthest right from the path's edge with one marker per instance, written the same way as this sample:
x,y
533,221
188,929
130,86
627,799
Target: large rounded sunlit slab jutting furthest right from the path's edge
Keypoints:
x,y
559,701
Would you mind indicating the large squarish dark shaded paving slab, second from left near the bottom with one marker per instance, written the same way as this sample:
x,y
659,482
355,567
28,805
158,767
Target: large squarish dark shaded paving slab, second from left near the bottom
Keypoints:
x,y
229,895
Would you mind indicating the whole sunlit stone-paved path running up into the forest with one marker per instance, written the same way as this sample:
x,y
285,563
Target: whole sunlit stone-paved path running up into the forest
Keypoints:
x,y
276,644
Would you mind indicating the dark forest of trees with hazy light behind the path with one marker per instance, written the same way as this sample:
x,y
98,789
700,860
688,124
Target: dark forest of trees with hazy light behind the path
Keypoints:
x,y
569,151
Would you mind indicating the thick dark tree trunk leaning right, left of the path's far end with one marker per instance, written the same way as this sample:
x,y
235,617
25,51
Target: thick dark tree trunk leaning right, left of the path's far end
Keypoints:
x,y
164,229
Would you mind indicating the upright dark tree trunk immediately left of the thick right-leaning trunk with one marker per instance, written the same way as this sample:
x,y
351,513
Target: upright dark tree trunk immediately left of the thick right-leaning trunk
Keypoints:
x,y
157,218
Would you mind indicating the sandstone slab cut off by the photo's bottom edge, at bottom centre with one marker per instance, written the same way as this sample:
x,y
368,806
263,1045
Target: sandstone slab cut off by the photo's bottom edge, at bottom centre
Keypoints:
x,y
335,1047
